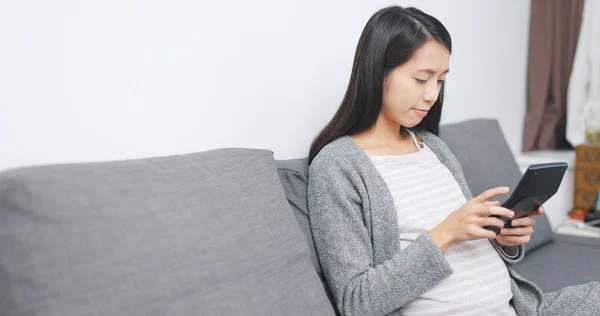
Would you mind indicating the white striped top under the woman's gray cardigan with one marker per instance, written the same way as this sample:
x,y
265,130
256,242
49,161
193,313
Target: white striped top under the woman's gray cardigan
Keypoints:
x,y
425,193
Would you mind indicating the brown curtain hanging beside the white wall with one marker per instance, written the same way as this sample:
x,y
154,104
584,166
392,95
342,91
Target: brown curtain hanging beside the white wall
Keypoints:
x,y
553,33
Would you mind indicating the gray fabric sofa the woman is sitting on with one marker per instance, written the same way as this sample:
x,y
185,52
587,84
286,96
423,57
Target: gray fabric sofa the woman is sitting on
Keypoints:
x,y
222,232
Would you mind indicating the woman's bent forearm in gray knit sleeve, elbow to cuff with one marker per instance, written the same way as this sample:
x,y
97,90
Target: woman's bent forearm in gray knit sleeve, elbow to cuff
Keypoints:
x,y
381,289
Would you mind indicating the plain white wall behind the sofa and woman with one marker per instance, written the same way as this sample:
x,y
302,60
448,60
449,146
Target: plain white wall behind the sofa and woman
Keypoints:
x,y
84,81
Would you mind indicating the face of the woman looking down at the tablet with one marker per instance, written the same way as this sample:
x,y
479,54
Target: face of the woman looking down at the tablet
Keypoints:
x,y
411,89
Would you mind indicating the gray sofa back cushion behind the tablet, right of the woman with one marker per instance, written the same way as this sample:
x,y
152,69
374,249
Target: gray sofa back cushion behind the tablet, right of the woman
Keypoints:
x,y
487,162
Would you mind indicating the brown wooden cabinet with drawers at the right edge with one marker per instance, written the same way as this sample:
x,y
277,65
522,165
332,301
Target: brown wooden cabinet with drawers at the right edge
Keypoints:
x,y
587,176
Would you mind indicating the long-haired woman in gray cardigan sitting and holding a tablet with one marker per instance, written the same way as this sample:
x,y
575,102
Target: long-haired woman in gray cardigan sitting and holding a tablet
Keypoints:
x,y
394,224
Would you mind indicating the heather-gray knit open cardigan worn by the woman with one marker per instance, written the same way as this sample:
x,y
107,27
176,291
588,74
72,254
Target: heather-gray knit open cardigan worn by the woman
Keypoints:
x,y
354,226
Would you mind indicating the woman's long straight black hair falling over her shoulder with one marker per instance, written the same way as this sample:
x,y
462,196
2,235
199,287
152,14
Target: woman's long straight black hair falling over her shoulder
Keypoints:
x,y
389,39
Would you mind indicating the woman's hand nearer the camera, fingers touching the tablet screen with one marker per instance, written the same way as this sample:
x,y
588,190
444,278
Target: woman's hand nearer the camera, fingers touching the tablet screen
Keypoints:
x,y
467,222
